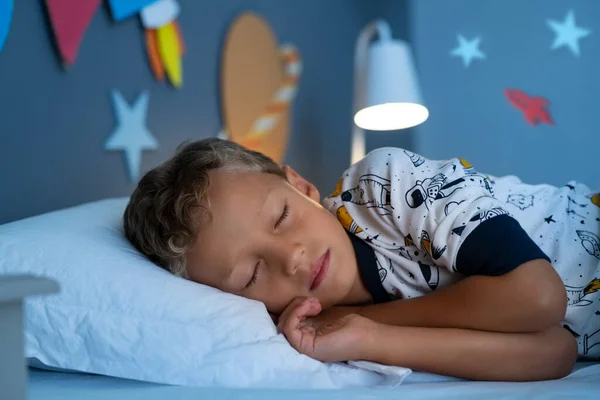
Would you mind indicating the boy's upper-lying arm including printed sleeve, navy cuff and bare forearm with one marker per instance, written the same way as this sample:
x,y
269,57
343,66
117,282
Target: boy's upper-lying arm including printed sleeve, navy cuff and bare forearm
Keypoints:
x,y
447,212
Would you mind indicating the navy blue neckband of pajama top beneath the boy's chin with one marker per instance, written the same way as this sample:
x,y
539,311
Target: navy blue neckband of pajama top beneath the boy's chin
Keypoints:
x,y
367,267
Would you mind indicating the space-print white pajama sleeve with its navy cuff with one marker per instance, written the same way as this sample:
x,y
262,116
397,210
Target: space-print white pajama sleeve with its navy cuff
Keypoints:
x,y
443,208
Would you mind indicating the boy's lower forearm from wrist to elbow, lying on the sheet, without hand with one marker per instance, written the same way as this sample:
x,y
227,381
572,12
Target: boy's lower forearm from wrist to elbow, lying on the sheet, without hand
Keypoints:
x,y
475,355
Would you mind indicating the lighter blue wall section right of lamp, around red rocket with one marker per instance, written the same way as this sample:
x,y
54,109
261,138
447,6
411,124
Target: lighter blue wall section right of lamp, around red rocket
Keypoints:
x,y
470,116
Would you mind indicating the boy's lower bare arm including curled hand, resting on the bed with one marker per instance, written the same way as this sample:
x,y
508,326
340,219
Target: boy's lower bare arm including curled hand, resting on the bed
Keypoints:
x,y
462,353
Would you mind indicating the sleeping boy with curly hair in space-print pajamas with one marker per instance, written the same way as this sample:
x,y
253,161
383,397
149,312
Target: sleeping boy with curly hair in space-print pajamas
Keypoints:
x,y
425,264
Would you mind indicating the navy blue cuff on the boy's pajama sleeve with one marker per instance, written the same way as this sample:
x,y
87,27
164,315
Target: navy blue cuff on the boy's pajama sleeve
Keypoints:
x,y
496,247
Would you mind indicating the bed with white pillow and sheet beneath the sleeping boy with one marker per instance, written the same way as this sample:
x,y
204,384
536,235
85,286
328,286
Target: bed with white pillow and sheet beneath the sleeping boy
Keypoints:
x,y
95,308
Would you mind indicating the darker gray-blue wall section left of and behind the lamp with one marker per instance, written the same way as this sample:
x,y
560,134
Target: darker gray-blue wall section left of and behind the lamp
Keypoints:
x,y
53,123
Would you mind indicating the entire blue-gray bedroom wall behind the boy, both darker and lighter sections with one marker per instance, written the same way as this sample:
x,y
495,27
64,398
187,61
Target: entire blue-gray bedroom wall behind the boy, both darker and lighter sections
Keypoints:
x,y
54,123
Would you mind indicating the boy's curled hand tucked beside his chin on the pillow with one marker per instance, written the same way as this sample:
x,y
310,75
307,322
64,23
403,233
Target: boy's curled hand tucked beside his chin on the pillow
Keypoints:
x,y
341,339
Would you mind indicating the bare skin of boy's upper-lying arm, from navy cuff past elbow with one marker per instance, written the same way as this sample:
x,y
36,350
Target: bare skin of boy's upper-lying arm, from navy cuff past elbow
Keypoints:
x,y
516,302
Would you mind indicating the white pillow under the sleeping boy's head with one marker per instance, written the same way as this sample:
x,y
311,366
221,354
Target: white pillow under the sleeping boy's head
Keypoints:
x,y
118,314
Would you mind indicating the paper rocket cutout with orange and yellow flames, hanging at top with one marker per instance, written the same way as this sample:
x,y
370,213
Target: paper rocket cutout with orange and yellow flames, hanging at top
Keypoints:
x,y
164,40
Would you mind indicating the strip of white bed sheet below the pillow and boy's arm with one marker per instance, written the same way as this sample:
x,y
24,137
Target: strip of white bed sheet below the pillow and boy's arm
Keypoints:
x,y
583,383
